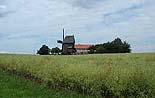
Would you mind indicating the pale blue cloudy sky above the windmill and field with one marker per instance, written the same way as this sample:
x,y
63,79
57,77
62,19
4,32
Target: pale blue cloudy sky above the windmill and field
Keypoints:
x,y
25,25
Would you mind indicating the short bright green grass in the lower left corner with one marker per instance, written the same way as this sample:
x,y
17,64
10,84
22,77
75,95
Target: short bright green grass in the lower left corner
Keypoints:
x,y
16,87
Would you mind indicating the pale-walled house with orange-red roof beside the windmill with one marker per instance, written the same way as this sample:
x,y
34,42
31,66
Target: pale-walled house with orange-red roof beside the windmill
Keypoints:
x,y
82,48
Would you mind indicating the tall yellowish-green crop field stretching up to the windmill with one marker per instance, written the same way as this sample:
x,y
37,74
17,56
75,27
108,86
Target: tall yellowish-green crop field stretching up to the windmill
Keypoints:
x,y
101,75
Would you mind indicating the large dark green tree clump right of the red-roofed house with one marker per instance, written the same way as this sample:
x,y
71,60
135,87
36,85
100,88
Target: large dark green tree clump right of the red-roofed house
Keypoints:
x,y
116,46
